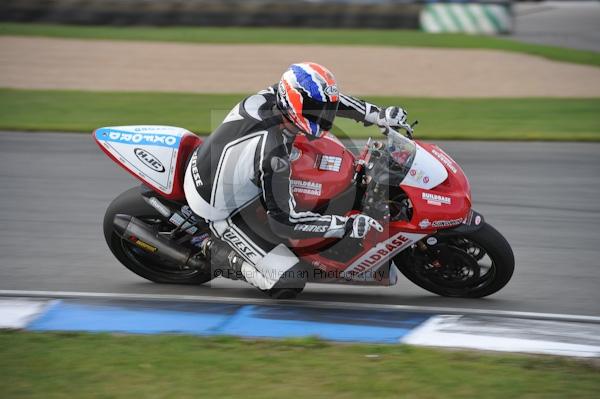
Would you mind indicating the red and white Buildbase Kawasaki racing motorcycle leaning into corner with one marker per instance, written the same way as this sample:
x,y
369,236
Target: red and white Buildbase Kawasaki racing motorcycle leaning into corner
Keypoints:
x,y
417,191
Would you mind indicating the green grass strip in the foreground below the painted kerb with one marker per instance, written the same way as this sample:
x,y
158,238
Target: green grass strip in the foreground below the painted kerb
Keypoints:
x,y
38,365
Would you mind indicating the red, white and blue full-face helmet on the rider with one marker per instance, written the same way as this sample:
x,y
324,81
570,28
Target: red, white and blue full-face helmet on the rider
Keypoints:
x,y
308,95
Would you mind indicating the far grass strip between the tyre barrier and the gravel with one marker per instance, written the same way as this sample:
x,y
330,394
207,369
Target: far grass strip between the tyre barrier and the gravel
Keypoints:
x,y
404,38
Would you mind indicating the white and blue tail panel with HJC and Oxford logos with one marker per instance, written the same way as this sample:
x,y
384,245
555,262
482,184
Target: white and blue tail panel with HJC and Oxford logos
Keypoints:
x,y
149,152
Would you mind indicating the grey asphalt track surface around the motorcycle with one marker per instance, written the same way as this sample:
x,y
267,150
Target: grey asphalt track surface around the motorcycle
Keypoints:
x,y
544,197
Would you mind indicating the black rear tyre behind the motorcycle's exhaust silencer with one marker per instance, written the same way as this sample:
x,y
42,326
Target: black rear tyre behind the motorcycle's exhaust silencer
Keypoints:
x,y
138,261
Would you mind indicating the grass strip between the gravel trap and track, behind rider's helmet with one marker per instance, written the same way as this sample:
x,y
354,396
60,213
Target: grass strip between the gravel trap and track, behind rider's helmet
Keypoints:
x,y
471,119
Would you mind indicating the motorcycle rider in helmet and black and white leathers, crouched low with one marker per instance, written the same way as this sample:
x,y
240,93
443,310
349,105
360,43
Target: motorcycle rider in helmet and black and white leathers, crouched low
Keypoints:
x,y
247,159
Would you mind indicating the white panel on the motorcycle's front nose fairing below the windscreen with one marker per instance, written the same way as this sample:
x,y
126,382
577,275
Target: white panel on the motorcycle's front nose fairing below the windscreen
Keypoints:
x,y
426,171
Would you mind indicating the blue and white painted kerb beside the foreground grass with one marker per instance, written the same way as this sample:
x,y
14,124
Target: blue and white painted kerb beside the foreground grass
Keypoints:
x,y
281,321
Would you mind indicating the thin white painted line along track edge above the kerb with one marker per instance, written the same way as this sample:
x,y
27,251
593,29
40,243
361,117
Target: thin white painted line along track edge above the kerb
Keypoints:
x,y
314,304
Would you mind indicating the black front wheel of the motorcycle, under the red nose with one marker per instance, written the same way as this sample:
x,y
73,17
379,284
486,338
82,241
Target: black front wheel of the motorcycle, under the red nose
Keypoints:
x,y
472,265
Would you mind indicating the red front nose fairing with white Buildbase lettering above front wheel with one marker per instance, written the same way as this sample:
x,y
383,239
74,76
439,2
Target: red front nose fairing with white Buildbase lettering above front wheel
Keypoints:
x,y
443,206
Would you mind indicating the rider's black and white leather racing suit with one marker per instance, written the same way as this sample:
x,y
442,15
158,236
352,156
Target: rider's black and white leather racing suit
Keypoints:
x,y
247,159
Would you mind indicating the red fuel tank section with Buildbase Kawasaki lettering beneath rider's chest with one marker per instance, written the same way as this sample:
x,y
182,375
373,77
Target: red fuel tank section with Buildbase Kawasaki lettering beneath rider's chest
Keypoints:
x,y
322,169
